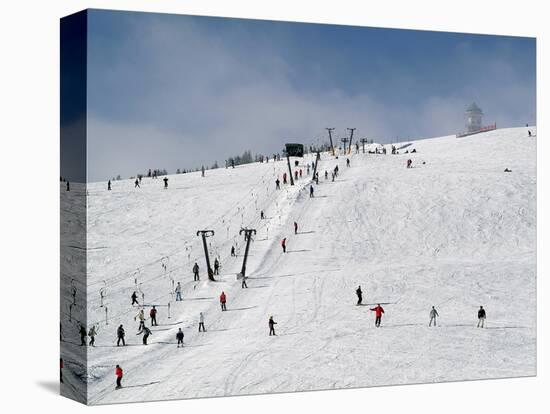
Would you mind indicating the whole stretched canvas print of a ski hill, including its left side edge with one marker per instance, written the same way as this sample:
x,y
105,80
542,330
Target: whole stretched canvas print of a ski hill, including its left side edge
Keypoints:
x,y
253,207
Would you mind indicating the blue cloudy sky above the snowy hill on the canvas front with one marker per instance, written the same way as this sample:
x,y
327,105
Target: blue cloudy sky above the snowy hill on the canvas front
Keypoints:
x,y
170,91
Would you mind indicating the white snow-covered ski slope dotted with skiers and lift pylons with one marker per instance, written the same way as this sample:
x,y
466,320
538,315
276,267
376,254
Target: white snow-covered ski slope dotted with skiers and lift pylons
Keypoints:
x,y
454,231
